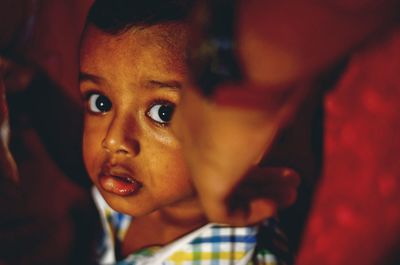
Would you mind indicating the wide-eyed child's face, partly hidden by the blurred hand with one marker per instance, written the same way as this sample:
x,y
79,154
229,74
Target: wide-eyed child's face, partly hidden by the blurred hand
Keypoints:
x,y
130,83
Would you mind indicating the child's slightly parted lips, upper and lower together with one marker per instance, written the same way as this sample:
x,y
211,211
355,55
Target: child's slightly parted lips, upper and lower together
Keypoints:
x,y
118,180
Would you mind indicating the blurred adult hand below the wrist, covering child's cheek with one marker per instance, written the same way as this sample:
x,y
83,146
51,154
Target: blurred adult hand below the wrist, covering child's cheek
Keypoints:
x,y
223,144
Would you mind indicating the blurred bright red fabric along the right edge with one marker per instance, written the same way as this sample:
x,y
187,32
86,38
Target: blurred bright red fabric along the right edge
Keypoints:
x,y
356,213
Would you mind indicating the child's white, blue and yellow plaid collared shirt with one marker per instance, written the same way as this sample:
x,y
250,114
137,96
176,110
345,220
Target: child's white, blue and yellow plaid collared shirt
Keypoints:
x,y
211,244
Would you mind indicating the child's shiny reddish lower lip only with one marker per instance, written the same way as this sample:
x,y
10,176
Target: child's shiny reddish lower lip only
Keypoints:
x,y
119,185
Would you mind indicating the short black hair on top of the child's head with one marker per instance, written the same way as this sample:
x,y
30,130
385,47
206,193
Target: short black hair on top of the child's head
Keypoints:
x,y
117,16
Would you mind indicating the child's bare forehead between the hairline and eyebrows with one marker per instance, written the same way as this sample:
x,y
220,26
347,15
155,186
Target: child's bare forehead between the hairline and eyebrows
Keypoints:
x,y
159,48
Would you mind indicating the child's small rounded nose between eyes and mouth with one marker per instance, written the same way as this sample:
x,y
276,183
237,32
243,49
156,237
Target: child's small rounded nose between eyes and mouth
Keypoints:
x,y
122,137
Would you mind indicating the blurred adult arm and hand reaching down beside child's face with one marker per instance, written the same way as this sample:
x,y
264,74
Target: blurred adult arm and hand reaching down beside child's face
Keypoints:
x,y
225,136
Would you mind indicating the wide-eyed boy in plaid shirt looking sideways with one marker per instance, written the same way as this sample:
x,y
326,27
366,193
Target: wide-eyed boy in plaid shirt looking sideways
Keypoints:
x,y
132,68
